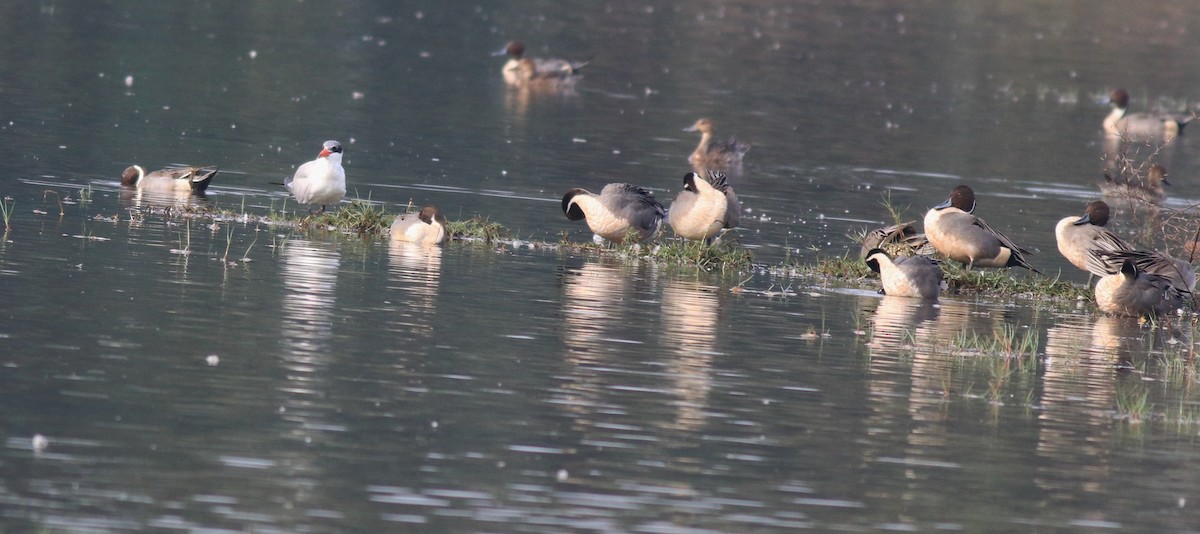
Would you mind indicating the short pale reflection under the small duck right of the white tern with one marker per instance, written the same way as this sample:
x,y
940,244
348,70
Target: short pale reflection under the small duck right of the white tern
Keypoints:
x,y
416,271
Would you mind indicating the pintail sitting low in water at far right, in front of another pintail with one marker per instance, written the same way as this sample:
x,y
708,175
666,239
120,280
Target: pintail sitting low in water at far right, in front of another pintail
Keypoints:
x,y
1136,293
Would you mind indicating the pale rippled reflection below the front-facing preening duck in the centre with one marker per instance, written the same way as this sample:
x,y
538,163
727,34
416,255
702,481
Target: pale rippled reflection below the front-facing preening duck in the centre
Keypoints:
x,y
691,316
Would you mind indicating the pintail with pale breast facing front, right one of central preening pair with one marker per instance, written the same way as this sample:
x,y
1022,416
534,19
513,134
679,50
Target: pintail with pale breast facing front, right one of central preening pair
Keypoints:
x,y
705,208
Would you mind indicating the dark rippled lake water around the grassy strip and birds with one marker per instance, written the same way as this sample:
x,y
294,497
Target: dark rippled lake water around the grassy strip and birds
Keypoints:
x,y
212,376
